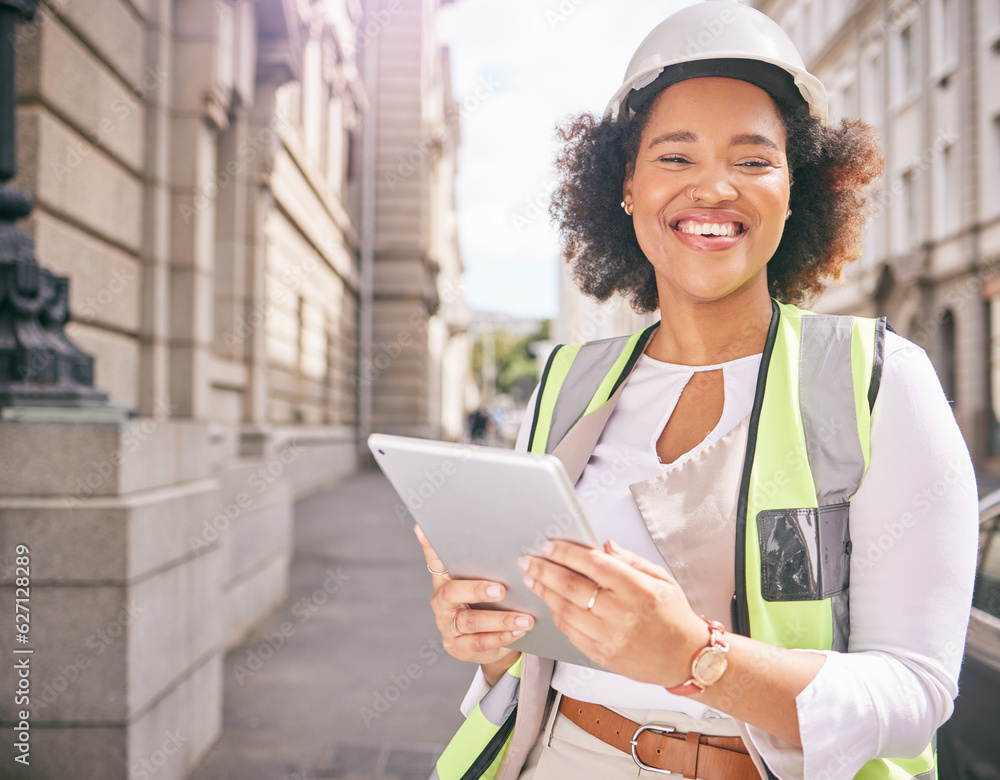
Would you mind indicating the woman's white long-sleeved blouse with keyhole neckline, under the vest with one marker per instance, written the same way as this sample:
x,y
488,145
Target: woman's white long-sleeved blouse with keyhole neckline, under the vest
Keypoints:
x,y
914,531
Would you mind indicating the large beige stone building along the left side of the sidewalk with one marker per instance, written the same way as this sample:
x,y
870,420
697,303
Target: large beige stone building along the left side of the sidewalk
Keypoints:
x,y
211,176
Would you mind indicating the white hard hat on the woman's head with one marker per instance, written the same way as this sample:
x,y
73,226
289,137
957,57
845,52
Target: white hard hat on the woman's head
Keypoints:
x,y
719,38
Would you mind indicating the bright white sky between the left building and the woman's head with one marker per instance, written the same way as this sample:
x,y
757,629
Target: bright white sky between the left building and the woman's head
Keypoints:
x,y
518,68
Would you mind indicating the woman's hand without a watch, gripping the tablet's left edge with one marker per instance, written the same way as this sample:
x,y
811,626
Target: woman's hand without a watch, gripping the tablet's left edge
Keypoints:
x,y
476,635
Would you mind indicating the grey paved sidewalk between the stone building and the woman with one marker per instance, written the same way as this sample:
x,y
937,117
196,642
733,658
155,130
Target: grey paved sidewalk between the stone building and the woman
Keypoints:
x,y
347,679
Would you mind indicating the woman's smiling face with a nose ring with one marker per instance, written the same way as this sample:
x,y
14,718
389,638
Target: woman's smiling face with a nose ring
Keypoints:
x,y
709,190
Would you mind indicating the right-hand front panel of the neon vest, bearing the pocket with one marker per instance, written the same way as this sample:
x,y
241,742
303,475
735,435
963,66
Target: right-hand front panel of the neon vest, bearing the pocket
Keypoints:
x,y
815,394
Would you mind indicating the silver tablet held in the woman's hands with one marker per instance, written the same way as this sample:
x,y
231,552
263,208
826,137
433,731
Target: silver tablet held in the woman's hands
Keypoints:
x,y
481,508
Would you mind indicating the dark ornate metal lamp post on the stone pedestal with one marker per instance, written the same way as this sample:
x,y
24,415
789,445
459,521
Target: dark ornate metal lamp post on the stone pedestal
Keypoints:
x,y
39,365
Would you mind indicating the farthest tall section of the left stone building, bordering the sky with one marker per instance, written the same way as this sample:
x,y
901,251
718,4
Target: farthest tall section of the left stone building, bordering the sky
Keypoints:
x,y
417,360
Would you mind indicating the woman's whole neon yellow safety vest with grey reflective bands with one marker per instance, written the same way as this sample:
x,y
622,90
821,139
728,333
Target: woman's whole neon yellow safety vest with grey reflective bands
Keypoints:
x,y
807,451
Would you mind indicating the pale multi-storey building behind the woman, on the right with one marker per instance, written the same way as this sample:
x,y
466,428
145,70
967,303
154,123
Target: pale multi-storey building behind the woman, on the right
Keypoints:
x,y
924,74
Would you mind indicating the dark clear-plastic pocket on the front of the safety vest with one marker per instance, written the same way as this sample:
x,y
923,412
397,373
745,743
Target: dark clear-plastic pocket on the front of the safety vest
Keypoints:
x,y
805,554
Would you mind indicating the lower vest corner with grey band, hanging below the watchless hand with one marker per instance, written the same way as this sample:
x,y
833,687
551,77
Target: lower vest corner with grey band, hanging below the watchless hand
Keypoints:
x,y
484,736
